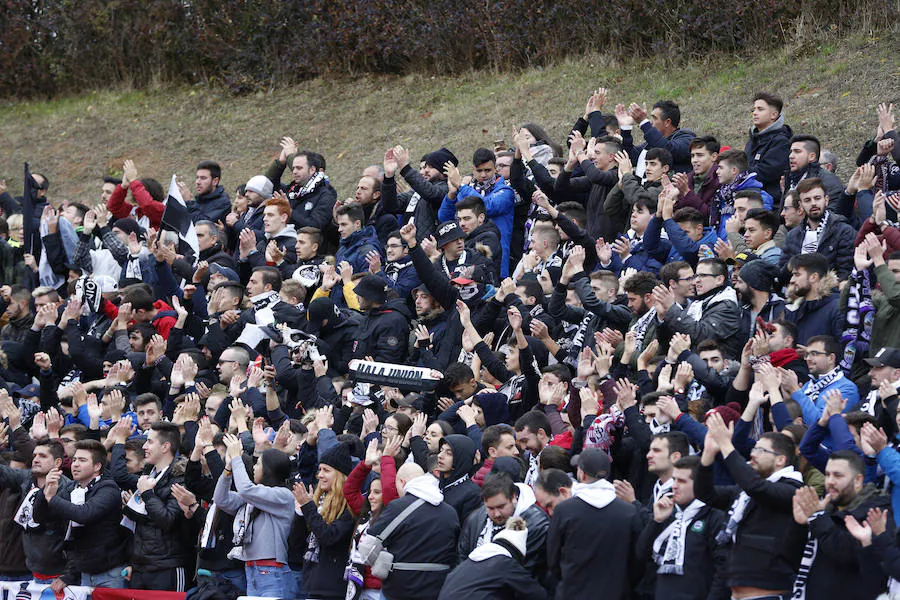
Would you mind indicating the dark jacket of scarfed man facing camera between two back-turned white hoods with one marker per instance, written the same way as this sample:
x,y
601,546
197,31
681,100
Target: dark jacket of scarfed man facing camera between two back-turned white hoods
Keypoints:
x,y
536,520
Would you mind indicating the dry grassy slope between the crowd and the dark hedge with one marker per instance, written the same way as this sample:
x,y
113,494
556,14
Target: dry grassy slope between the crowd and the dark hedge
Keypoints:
x,y
830,91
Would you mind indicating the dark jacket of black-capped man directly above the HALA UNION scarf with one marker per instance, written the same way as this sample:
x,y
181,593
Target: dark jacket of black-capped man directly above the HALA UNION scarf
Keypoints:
x,y
384,333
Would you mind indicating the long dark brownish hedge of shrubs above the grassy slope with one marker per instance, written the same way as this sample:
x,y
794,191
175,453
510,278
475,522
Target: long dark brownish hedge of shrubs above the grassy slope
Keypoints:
x,y
53,46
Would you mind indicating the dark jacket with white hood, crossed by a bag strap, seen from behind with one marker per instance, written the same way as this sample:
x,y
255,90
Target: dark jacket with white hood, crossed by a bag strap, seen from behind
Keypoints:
x,y
427,535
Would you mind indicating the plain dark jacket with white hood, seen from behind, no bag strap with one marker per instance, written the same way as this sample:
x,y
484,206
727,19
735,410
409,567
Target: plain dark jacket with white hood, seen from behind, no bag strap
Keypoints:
x,y
590,524
